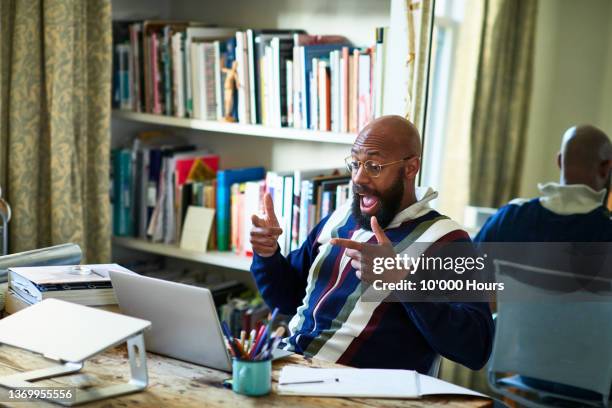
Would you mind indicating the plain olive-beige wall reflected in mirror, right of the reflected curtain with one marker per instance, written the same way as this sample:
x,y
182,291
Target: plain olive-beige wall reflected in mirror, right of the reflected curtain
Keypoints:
x,y
572,65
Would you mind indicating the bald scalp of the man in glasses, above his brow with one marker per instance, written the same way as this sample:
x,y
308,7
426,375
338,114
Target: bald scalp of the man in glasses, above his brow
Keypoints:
x,y
392,133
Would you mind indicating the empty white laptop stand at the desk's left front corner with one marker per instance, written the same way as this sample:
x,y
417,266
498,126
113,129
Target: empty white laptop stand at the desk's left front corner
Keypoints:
x,y
65,333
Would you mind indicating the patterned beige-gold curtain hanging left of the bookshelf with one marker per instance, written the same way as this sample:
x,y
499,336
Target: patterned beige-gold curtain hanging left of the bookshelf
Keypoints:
x,y
55,123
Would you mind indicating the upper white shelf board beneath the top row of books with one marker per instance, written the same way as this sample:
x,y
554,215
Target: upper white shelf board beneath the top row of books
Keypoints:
x,y
238,129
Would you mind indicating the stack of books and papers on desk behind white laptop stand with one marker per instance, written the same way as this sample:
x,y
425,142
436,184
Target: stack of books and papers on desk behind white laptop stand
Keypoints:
x,y
30,285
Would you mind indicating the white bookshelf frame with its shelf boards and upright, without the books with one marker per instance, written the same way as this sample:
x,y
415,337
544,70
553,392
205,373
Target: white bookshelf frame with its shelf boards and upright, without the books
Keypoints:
x,y
244,145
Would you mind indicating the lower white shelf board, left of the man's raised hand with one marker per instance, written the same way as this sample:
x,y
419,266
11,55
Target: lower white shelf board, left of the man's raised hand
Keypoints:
x,y
224,259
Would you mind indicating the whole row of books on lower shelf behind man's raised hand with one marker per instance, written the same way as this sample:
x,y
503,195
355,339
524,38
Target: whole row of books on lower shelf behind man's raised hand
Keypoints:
x,y
154,185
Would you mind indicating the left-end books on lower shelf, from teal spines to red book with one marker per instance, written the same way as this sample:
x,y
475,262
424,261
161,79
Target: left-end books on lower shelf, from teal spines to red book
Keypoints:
x,y
154,183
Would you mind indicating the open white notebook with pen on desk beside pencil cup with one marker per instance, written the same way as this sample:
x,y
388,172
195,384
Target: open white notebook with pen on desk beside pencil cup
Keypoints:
x,y
363,383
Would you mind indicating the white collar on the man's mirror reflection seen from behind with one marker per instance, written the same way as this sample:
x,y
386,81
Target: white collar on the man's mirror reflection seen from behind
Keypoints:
x,y
570,198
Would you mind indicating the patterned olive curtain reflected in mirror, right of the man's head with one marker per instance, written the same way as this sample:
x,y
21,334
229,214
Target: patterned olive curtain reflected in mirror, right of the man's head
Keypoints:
x,y
501,103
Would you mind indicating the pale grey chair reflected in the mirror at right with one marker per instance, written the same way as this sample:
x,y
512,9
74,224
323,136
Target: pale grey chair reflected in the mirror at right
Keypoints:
x,y
551,337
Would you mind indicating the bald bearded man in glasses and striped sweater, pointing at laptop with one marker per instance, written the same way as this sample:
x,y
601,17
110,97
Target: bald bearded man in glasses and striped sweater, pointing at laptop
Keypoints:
x,y
318,284
